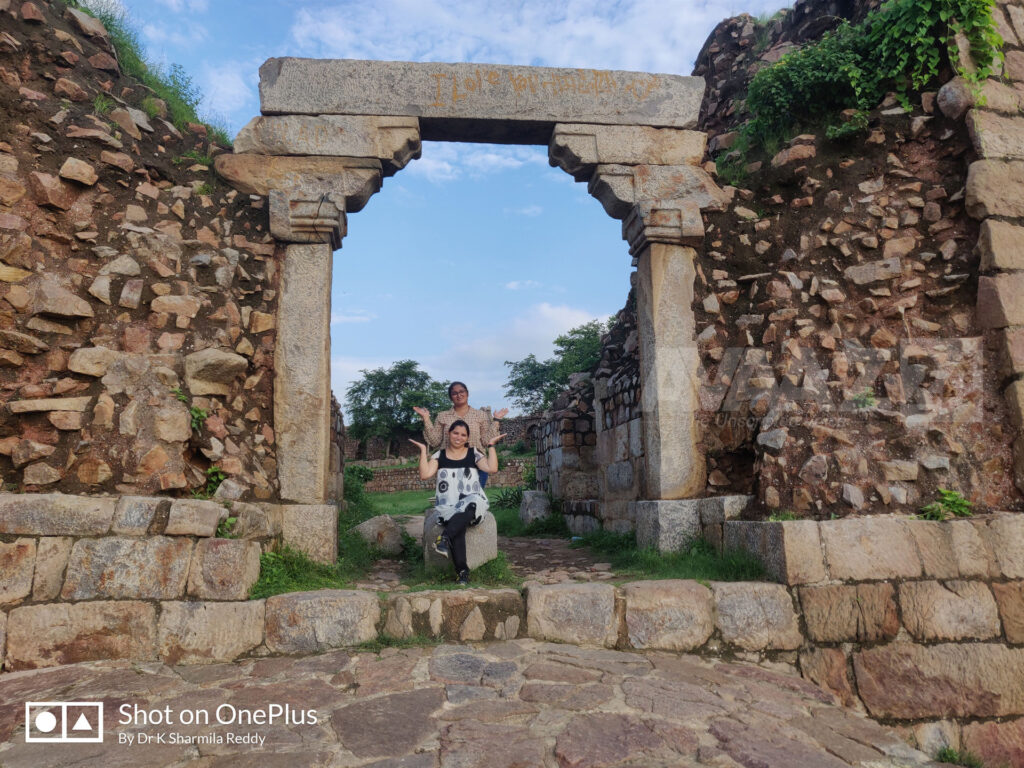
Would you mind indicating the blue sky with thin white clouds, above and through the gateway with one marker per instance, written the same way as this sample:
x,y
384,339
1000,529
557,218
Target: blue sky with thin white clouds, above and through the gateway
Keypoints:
x,y
475,254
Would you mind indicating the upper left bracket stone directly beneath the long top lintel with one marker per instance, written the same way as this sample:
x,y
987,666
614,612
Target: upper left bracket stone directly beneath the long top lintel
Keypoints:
x,y
394,141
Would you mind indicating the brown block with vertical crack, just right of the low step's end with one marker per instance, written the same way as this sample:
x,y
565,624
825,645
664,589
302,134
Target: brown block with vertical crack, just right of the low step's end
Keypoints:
x,y
839,614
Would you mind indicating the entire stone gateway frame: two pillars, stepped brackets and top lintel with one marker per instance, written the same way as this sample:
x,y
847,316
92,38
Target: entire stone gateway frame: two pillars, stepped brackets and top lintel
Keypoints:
x,y
332,130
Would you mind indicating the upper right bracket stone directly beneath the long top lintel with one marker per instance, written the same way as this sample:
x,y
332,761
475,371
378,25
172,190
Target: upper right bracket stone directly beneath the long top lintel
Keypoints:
x,y
578,149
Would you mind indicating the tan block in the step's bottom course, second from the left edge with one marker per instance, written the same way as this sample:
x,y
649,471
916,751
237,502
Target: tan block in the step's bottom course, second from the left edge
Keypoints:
x,y
204,632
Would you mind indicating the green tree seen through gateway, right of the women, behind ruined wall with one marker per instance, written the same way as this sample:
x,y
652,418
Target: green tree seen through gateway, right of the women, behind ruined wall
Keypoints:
x,y
534,385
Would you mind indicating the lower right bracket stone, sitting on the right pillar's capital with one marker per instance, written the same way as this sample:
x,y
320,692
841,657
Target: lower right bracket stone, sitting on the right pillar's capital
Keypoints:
x,y
619,188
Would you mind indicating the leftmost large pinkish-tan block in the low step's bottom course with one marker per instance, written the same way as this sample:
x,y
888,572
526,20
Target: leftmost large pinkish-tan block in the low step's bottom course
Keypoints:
x,y
63,633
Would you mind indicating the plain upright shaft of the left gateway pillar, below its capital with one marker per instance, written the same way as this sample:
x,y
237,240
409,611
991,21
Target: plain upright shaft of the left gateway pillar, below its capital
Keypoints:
x,y
303,374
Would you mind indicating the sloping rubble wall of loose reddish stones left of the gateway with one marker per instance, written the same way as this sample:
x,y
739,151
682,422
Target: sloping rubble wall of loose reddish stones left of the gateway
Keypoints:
x,y
134,285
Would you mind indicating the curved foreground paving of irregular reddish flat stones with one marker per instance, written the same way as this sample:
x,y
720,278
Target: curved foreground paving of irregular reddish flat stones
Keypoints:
x,y
514,705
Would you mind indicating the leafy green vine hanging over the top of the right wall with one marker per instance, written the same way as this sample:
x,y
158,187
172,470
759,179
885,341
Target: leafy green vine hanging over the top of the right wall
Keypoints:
x,y
901,48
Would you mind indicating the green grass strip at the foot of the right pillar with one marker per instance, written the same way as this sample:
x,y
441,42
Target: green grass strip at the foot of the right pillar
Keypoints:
x,y
701,562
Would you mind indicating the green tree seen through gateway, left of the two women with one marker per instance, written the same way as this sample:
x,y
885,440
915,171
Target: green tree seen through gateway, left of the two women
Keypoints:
x,y
380,405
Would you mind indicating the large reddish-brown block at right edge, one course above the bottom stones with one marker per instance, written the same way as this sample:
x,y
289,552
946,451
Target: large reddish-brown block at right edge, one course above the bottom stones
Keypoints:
x,y
913,682
